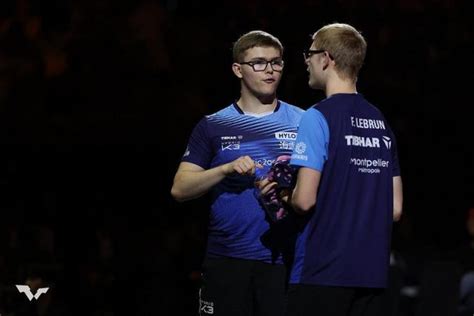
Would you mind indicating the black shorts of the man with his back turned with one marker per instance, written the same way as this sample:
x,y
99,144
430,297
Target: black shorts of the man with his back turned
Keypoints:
x,y
315,300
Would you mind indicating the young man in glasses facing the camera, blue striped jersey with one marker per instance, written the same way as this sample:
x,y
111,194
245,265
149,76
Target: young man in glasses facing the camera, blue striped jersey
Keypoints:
x,y
241,274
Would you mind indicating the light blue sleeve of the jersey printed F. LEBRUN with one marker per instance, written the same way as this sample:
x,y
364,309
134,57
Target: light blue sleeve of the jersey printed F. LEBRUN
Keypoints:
x,y
311,149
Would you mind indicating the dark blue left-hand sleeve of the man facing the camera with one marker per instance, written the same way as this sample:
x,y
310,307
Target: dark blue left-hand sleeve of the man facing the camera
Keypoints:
x,y
199,149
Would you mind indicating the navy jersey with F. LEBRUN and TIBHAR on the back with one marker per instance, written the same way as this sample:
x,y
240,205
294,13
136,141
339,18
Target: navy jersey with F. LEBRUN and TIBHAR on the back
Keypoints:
x,y
346,241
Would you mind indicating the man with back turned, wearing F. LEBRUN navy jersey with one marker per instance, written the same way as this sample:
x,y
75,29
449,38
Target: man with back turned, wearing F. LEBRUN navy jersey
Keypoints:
x,y
348,187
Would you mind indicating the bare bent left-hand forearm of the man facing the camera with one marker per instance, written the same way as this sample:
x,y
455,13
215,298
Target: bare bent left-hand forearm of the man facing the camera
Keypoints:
x,y
191,184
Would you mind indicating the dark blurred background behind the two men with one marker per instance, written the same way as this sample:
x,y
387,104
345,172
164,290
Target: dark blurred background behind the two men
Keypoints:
x,y
98,98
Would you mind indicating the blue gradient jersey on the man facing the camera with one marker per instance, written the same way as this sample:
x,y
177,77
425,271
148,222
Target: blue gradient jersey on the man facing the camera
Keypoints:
x,y
237,220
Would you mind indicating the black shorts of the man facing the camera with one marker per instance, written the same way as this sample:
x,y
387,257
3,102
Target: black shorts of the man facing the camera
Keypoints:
x,y
236,287
